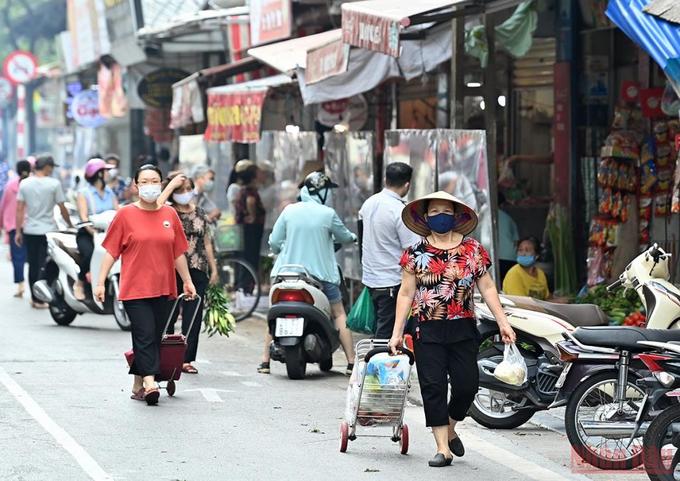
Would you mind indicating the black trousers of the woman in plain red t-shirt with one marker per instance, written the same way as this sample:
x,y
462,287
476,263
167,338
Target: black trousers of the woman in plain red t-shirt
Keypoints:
x,y
147,318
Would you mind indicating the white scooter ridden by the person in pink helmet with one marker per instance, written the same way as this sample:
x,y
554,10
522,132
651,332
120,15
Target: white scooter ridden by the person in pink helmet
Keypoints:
x,y
61,272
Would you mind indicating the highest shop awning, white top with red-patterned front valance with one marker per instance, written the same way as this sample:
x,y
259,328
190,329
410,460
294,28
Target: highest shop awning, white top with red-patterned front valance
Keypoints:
x,y
376,24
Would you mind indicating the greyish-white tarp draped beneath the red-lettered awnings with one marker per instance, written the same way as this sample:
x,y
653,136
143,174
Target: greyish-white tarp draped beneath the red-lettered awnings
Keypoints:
x,y
367,69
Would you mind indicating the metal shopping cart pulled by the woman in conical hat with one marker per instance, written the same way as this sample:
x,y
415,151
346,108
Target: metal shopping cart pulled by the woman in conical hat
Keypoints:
x,y
373,403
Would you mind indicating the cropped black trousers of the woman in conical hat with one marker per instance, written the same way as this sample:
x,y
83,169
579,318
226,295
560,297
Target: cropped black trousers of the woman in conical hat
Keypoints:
x,y
435,362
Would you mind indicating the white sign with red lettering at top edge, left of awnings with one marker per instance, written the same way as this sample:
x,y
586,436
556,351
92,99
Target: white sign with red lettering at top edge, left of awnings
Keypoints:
x,y
269,20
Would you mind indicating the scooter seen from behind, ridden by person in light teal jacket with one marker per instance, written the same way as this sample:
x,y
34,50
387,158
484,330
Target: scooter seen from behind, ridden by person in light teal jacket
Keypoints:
x,y
300,322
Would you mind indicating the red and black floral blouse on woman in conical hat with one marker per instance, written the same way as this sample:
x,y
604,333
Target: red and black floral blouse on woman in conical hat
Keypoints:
x,y
445,279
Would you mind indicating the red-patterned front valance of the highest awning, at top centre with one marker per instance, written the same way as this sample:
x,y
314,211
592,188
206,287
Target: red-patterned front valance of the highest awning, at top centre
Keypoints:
x,y
371,32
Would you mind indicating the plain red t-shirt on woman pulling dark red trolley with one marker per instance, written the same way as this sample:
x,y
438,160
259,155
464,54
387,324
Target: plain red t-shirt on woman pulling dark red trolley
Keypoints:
x,y
148,242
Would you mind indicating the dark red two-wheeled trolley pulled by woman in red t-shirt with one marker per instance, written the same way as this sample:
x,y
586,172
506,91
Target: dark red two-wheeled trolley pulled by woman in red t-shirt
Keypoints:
x,y
172,351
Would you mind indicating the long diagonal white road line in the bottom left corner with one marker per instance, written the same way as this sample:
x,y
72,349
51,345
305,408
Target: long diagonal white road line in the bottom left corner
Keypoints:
x,y
64,439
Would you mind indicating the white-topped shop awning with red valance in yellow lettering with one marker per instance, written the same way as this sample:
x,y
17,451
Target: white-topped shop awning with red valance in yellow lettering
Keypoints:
x,y
235,111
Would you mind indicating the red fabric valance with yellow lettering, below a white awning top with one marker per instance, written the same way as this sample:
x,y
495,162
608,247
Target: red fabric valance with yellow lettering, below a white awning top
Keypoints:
x,y
235,117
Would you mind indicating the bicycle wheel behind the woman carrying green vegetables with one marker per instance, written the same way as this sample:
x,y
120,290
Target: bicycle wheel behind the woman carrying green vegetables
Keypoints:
x,y
242,286
